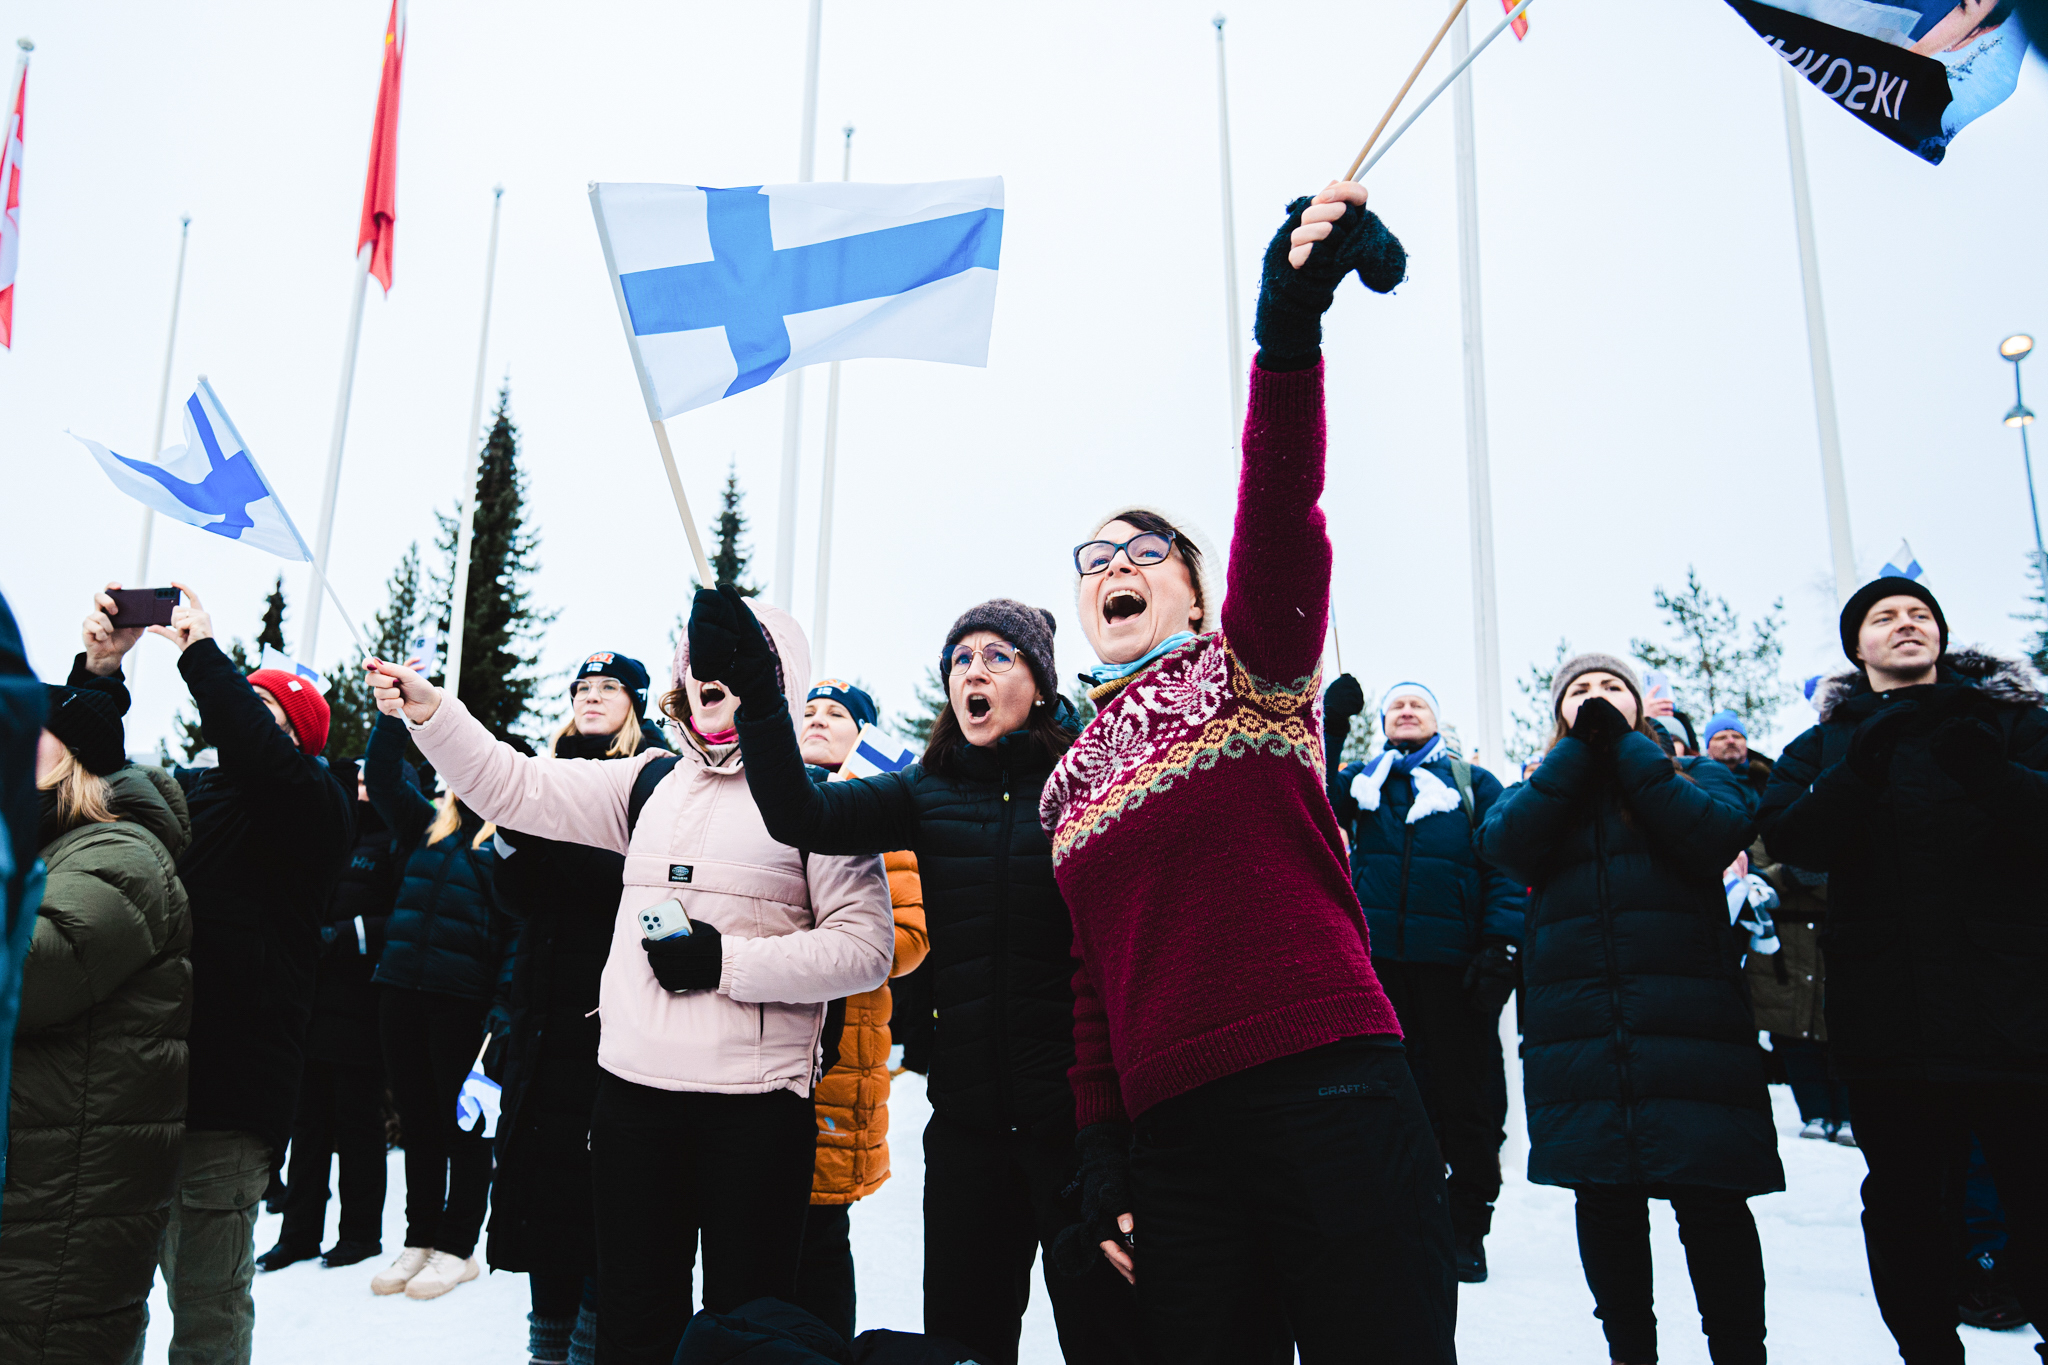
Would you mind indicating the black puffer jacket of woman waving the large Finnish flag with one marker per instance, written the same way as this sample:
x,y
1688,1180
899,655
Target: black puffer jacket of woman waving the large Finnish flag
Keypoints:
x,y
1002,940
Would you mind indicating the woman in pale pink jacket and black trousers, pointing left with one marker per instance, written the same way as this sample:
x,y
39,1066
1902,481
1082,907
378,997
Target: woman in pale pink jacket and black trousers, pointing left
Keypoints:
x,y
703,1120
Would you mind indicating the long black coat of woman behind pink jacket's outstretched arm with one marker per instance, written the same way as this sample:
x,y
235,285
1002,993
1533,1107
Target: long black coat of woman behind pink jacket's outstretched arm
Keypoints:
x,y
558,904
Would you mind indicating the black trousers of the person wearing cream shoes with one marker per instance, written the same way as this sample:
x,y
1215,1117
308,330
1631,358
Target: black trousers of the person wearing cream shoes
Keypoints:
x,y
431,1043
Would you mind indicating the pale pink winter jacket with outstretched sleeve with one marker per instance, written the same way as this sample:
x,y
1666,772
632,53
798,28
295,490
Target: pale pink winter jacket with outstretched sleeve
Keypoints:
x,y
798,932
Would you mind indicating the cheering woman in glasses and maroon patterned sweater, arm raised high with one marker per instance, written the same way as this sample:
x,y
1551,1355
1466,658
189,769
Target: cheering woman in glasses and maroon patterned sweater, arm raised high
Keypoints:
x,y
1254,1153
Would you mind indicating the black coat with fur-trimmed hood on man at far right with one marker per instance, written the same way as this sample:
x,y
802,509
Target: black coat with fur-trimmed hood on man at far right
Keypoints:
x,y
1936,932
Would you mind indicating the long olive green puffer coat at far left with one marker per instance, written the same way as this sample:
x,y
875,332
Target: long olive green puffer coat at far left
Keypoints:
x,y
99,1080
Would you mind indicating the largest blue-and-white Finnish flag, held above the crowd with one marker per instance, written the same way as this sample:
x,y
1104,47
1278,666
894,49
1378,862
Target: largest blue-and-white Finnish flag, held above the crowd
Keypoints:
x,y
726,290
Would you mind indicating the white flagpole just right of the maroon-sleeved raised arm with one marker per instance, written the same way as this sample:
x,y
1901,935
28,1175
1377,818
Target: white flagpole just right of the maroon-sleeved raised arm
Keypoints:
x,y
1478,466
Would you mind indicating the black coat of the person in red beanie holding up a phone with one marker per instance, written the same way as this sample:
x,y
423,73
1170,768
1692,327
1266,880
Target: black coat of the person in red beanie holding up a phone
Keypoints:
x,y
271,834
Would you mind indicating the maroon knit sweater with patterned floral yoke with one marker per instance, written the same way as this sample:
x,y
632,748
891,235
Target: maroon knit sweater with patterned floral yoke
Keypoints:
x,y
1213,916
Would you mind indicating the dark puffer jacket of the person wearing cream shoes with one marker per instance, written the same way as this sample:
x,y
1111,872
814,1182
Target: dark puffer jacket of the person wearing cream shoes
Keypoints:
x,y
441,934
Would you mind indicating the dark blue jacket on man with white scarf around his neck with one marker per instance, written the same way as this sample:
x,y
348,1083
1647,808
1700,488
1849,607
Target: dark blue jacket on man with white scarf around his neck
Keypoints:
x,y
1428,895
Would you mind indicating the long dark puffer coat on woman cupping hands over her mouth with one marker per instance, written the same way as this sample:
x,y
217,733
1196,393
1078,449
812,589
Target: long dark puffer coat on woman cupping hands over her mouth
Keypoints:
x,y
1641,1063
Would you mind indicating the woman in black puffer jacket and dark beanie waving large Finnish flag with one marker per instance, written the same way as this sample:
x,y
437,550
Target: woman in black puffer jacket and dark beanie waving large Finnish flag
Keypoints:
x,y
998,1155
